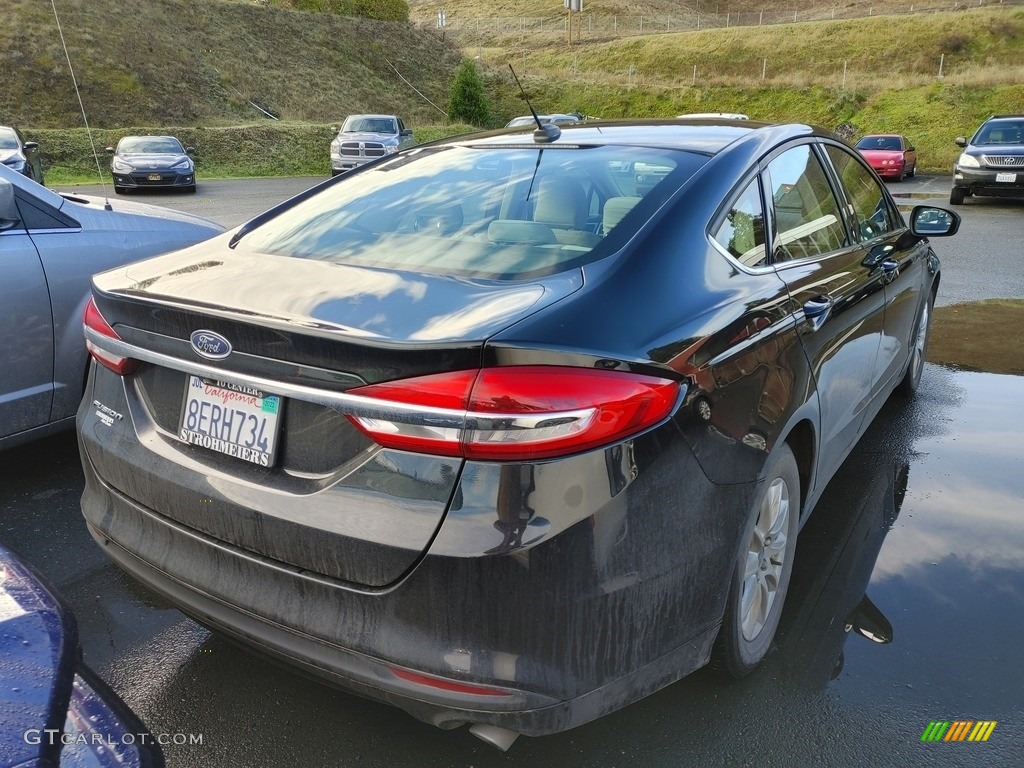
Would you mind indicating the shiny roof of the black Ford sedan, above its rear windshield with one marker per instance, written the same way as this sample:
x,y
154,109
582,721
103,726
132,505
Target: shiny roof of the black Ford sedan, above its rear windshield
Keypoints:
x,y
706,137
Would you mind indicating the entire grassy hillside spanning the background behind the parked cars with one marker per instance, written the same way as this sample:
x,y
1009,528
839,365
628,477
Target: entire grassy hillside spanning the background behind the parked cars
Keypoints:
x,y
197,65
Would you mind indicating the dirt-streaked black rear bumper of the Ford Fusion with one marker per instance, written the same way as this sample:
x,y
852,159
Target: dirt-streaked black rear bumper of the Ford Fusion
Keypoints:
x,y
568,589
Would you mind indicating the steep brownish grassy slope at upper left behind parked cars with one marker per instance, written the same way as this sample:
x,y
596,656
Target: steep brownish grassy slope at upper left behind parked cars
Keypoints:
x,y
201,63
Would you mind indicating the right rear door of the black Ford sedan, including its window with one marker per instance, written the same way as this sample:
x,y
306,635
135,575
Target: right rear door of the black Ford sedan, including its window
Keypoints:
x,y
842,300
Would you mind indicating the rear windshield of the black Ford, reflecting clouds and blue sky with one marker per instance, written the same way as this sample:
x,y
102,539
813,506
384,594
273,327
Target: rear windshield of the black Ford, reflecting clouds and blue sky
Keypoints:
x,y
498,212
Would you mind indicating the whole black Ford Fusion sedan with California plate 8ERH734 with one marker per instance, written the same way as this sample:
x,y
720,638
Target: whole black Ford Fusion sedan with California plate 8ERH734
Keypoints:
x,y
515,430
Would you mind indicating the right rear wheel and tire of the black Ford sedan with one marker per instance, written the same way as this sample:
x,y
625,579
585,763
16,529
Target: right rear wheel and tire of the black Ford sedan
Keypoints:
x,y
761,575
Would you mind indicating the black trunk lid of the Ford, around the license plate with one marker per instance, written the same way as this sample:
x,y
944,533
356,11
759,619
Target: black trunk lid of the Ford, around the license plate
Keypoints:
x,y
333,503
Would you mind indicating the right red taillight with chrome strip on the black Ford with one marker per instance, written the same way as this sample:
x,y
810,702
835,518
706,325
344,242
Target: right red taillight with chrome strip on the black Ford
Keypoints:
x,y
518,413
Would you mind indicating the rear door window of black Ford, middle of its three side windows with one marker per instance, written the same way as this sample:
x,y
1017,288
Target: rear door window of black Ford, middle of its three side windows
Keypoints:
x,y
807,217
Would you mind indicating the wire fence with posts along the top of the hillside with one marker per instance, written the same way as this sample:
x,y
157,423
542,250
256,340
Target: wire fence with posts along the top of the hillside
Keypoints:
x,y
602,26
